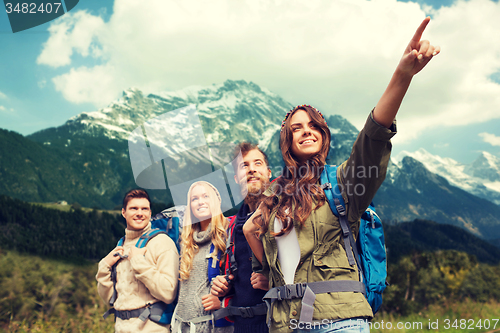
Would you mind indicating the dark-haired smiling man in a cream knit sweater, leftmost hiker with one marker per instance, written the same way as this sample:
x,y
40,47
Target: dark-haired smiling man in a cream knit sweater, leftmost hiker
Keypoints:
x,y
143,276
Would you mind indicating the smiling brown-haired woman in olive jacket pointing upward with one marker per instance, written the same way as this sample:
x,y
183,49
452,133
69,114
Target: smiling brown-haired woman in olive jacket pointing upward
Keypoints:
x,y
312,274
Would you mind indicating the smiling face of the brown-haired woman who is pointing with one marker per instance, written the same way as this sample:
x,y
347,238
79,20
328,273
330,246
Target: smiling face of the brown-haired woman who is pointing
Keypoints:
x,y
307,139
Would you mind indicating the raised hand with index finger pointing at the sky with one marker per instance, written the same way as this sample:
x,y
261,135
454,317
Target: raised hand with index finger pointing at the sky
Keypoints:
x,y
418,53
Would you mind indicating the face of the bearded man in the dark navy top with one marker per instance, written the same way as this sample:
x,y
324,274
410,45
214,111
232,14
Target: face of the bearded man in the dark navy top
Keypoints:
x,y
253,174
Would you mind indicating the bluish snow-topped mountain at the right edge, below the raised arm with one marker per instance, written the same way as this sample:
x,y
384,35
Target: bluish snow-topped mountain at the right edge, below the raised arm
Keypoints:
x,y
414,192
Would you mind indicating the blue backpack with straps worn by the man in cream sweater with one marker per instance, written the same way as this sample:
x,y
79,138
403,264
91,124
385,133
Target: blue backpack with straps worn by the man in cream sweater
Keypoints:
x,y
167,222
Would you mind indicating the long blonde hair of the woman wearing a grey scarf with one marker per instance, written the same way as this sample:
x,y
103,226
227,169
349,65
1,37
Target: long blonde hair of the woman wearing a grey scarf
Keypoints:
x,y
218,229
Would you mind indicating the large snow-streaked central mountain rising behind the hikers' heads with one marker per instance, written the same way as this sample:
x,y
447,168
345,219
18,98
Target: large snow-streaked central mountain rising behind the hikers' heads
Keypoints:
x,y
230,112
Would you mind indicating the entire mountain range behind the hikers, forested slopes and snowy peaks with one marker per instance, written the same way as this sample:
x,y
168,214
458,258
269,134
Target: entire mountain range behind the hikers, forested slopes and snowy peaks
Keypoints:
x,y
87,160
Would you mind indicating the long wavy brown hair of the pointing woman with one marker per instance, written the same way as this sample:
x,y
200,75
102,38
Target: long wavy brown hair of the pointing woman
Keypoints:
x,y
297,188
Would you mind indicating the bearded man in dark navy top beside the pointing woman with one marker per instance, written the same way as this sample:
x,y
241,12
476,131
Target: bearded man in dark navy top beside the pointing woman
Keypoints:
x,y
252,173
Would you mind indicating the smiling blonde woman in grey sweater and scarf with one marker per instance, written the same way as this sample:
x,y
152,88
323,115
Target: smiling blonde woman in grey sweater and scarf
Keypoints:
x,y
203,240
